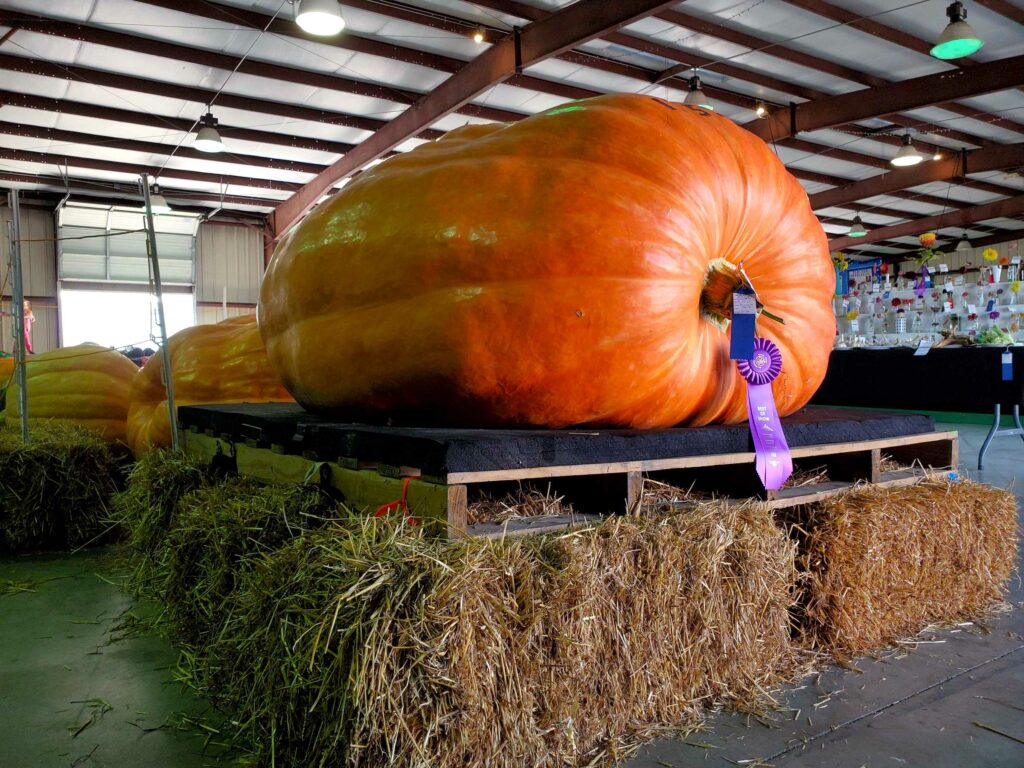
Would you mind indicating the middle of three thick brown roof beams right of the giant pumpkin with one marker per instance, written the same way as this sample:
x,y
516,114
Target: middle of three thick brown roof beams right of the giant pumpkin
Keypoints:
x,y
979,161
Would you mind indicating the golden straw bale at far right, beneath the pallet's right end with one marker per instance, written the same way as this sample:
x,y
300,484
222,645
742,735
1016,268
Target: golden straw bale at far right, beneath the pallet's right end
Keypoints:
x,y
883,564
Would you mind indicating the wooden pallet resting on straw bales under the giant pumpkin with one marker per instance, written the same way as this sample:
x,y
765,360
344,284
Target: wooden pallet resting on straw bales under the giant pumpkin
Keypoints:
x,y
595,489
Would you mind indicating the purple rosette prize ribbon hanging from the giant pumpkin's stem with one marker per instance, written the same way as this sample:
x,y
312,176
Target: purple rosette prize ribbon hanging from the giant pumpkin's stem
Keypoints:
x,y
775,465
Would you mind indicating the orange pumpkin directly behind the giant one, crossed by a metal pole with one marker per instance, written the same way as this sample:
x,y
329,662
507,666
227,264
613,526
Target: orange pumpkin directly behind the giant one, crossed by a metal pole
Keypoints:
x,y
223,363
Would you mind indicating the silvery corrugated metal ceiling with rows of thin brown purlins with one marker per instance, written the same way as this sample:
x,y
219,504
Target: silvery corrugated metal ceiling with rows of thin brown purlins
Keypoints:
x,y
780,52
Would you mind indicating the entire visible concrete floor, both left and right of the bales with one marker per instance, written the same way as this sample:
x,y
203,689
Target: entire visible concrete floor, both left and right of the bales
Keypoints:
x,y
59,675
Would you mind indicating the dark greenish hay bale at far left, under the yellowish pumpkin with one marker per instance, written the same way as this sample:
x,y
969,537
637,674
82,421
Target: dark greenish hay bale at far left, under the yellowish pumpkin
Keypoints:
x,y
57,492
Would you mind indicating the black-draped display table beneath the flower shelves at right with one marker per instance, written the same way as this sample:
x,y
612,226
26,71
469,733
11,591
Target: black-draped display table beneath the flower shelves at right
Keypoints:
x,y
956,379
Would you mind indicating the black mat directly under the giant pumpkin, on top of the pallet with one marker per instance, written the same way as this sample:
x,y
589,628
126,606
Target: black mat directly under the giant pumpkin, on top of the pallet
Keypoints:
x,y
438,452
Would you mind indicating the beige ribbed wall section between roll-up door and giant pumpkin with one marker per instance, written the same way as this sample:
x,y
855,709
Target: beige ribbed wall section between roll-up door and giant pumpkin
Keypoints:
x,y
229,257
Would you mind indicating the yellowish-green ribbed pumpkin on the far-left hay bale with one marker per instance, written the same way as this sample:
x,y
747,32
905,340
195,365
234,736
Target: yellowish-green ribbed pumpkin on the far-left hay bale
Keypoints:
x,y
86,386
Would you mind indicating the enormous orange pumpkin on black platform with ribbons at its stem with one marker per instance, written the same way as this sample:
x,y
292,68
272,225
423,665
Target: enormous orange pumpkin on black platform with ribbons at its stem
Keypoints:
x,y
573,269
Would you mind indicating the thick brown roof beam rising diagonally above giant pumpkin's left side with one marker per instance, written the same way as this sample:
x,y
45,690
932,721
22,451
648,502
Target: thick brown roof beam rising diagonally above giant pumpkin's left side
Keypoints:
x,y
564,30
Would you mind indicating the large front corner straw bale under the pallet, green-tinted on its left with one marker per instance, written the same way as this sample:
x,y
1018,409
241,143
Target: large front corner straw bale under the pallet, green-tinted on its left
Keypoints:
x,y
371,644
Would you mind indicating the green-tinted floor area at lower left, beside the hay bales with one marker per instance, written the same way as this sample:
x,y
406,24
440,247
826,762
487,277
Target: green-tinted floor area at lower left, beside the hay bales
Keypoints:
x,y
69,697
